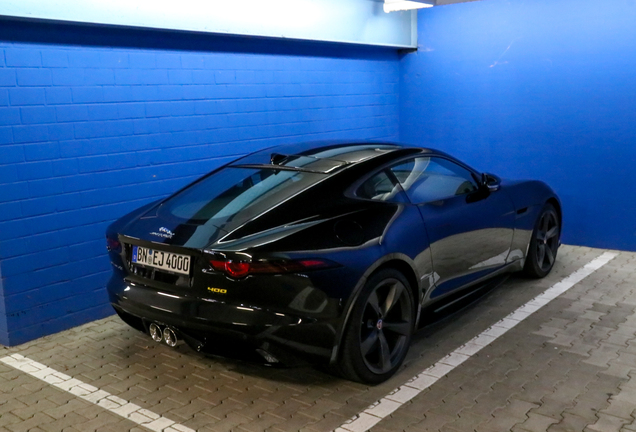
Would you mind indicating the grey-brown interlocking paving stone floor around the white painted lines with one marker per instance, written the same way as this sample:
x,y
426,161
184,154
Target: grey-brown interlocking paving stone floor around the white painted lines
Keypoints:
x,y
570,366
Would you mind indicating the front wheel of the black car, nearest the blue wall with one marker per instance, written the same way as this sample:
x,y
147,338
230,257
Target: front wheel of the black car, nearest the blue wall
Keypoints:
x,y
544,243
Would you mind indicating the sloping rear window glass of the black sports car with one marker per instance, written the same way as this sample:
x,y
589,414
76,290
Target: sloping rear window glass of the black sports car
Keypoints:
x,y
236,190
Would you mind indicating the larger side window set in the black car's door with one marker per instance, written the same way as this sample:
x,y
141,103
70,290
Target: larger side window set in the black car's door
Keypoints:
x,y
426,179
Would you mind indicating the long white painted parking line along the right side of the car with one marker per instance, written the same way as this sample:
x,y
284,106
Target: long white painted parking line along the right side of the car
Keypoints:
x,y
401,395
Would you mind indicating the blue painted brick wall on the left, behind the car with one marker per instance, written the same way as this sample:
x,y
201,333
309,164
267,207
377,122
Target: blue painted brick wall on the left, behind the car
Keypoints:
x,y
90,132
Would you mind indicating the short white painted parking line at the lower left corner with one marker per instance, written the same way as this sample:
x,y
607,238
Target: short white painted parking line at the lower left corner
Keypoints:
x,y
92,394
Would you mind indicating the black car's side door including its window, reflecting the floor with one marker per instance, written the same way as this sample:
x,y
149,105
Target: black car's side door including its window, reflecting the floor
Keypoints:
x,y
470,228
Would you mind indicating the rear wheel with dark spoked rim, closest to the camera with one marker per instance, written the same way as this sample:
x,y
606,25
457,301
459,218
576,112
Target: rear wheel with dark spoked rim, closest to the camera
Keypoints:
x,y
379,331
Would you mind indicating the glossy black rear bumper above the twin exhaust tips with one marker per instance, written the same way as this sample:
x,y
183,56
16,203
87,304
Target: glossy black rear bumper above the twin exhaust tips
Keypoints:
x,y
221,328
